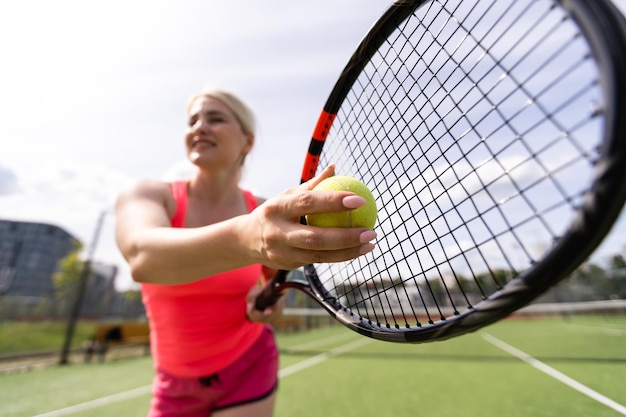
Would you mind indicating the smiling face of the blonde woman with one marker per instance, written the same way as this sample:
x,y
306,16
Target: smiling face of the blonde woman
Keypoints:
x,y
214,136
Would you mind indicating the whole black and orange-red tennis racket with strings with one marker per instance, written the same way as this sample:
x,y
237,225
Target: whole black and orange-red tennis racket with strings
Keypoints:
x,y
492,134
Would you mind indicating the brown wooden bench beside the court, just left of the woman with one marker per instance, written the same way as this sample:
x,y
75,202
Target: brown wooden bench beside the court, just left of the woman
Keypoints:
x,y
107,335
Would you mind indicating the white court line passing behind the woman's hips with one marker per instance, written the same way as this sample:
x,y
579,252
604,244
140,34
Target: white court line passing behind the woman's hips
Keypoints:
x,y
137,392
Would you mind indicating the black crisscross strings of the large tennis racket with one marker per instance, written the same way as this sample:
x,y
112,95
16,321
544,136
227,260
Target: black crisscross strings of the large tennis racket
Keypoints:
x,y
477,129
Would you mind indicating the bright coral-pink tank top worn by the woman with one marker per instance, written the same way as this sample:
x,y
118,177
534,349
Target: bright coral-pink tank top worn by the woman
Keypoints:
x,y
199,328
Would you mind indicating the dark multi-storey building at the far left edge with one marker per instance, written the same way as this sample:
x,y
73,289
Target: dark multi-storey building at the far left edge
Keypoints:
x,y
29,256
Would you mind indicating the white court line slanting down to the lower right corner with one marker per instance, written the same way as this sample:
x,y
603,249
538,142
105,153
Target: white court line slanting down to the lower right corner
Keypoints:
x,y
572,383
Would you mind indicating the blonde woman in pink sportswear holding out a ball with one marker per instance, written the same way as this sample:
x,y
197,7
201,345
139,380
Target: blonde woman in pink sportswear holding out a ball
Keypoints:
x,y
200,248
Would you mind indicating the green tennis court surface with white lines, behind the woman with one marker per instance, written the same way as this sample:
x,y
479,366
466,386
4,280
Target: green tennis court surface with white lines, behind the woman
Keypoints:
x,y
564,366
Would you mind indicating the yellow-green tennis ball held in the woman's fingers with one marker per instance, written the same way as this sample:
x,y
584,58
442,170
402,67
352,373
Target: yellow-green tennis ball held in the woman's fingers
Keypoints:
x,y
364,216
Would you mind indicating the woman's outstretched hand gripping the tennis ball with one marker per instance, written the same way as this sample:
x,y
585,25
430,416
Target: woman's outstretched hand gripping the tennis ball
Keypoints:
x,y
282,242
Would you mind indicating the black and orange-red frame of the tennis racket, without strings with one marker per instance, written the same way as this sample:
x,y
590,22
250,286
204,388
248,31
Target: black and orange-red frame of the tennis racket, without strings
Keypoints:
x,y
605,29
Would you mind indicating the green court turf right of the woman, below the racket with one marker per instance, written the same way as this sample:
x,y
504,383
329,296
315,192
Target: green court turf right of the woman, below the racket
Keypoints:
x,y
466,376
